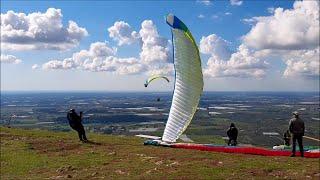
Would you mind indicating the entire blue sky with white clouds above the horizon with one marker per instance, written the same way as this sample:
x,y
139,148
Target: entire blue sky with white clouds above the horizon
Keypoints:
x,y
115,46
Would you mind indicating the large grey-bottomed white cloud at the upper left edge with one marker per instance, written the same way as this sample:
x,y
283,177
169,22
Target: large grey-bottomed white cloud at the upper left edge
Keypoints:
x,y
39,31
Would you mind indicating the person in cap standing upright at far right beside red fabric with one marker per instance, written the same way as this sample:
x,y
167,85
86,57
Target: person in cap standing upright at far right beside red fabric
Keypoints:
x,y
296,128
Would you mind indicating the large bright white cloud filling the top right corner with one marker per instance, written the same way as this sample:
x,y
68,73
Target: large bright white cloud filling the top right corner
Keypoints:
x,y
291,29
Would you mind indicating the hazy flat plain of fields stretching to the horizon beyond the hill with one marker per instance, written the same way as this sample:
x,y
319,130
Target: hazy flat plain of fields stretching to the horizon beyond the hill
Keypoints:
x,y
123,113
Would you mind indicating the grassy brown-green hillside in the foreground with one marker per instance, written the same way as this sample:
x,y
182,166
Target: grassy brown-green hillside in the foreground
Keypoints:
x,y
39,154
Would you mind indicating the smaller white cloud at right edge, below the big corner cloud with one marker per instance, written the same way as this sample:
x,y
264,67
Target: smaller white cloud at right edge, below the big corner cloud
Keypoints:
x,y
304,63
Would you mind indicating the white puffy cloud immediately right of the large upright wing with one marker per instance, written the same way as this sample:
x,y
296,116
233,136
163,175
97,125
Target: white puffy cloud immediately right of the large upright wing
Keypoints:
x,y
223,63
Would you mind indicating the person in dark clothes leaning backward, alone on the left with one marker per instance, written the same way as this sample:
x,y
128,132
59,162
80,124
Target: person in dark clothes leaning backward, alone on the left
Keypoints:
x,y
75,122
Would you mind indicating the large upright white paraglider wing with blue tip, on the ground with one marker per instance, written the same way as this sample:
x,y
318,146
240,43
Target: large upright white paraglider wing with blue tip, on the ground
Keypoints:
x,y
188,80
